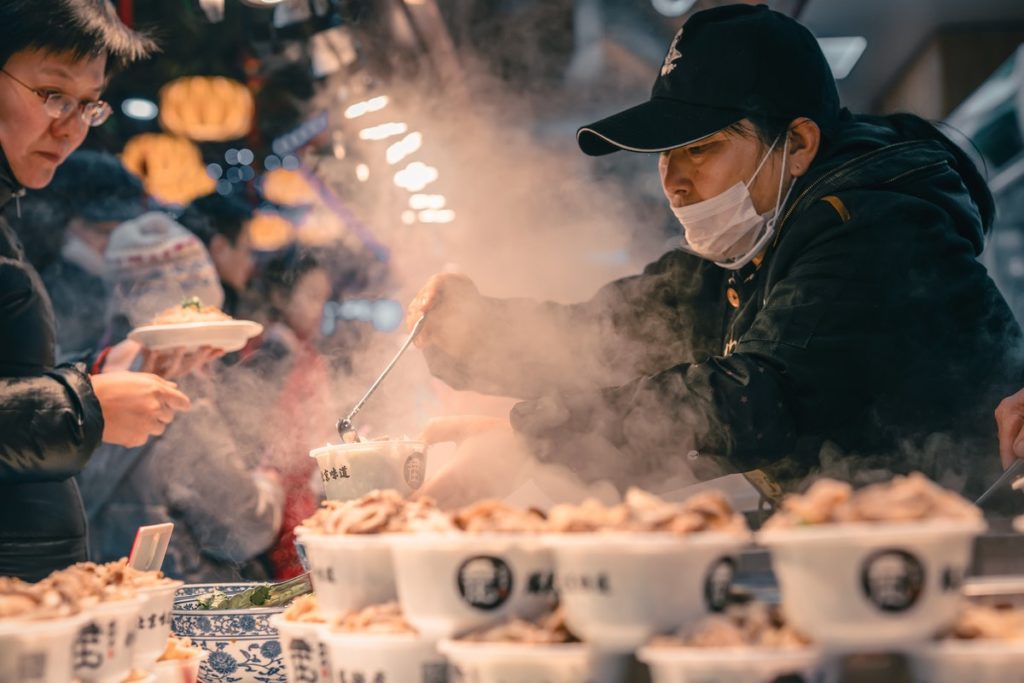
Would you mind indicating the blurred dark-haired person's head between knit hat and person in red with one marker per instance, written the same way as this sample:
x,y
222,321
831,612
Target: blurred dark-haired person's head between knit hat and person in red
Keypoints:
x,y
222,222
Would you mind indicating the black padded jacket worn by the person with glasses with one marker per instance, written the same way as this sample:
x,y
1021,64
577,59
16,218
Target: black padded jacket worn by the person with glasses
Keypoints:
x,y
51,422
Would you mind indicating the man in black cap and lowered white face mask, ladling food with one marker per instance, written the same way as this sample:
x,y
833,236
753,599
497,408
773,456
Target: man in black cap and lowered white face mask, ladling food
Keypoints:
x,y
825,313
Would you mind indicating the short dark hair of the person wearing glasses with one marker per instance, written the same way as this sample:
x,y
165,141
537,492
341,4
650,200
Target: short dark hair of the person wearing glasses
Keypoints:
x,y
83,29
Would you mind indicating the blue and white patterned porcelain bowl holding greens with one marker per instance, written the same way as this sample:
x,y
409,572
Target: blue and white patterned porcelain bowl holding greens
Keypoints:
x,y
243,646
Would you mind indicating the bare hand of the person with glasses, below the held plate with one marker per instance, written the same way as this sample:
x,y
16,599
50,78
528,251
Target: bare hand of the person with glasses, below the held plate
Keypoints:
x,y
137,406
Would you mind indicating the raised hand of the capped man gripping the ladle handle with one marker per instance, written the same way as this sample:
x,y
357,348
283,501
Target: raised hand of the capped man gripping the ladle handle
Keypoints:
x,y
449,298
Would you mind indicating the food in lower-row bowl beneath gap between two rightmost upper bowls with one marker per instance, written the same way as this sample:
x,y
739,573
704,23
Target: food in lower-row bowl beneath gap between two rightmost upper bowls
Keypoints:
x,y
751,625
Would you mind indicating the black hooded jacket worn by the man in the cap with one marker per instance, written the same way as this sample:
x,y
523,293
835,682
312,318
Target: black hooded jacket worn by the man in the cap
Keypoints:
x,y
868,341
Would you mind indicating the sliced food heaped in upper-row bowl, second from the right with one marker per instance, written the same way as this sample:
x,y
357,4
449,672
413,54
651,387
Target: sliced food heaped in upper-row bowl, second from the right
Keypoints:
x,y
708,511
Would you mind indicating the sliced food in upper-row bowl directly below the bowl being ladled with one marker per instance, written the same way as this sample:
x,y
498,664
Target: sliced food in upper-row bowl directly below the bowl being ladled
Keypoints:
x,y
378,513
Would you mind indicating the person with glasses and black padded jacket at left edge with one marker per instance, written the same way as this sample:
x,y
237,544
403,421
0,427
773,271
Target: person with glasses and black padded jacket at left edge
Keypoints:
x,y
56,57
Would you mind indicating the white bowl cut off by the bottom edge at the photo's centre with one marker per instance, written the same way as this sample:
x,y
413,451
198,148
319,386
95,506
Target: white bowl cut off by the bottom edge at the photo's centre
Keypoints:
x,y
517,663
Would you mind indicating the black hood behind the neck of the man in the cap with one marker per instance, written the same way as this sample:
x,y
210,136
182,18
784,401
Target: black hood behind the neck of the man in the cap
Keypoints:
x,y
868,152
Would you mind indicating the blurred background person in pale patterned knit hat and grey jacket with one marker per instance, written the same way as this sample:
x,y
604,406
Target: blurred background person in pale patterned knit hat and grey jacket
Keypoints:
x,y
226,514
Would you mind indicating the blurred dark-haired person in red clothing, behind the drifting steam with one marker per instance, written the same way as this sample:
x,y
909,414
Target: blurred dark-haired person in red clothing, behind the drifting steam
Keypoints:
x,y
292,379
